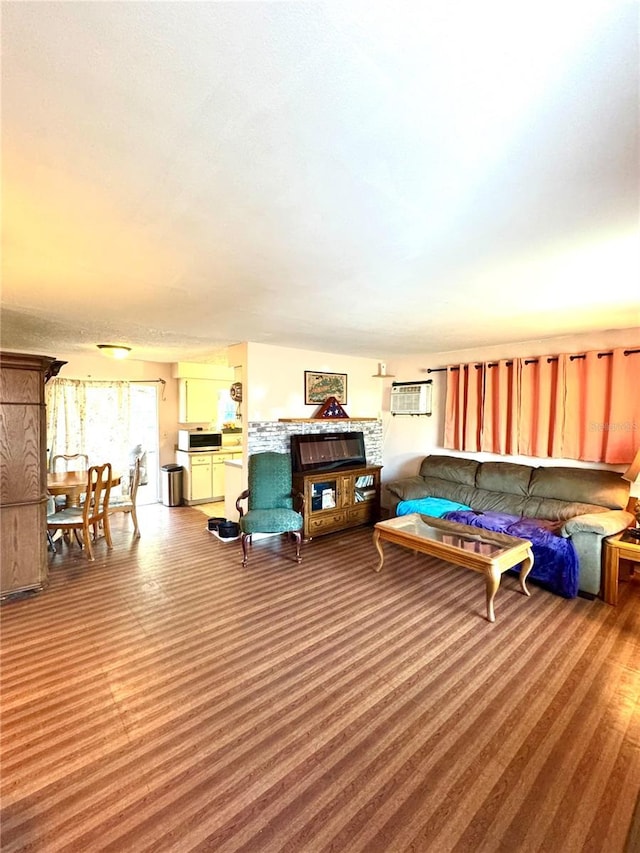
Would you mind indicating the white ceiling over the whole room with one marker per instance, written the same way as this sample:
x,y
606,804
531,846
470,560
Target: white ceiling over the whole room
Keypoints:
x,y
370,179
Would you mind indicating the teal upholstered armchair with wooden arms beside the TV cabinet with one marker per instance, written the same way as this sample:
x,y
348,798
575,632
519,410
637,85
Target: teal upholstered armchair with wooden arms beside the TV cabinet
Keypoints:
x,y
270,501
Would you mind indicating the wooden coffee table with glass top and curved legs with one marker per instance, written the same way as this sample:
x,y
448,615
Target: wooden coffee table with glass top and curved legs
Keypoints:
x,y
489,553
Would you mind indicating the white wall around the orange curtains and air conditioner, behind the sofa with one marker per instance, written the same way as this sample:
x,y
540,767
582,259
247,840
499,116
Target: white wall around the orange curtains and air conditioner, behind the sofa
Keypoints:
x,y
407,440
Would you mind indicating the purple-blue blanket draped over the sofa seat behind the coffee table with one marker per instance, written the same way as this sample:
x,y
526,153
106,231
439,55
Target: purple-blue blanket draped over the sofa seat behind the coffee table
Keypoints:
x,y
555,562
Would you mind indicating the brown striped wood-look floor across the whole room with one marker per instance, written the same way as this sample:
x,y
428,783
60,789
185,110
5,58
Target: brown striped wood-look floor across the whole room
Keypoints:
x,y
164,698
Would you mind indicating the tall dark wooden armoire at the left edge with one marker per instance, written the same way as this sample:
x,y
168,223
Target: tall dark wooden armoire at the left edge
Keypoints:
x,y
23,472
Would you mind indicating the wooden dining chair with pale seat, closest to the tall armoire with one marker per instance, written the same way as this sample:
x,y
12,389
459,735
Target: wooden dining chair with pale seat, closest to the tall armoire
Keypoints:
x,y
92,516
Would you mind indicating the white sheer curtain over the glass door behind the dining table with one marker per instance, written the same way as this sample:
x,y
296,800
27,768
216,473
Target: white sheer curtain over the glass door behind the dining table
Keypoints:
x,y
90,417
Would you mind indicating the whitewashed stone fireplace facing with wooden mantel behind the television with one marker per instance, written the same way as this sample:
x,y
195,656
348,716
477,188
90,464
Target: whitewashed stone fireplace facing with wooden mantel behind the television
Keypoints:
x,y
276,435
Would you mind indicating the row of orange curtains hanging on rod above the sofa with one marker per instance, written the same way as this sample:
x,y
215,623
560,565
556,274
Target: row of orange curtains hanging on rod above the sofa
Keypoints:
x,y
584,406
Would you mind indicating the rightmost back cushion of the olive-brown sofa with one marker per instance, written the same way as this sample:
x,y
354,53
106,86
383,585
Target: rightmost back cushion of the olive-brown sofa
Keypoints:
x,y
580,485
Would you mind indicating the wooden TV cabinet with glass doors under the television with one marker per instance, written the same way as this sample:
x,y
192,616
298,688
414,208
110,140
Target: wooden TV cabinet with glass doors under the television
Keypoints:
x,y
339,500
